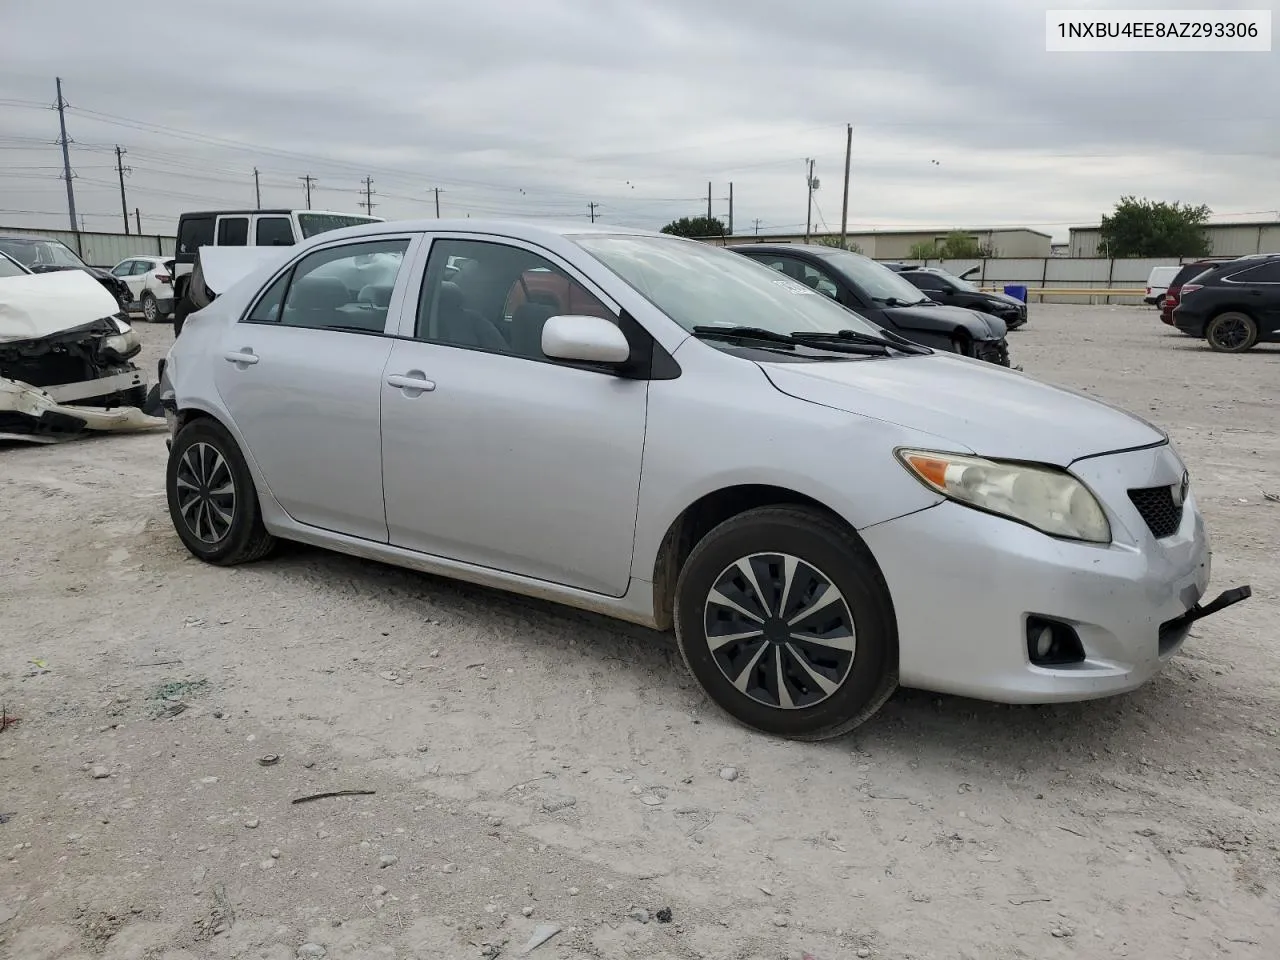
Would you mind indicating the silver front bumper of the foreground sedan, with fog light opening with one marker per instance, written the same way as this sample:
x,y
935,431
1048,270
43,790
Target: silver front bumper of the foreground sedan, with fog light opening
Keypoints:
x,y
966,583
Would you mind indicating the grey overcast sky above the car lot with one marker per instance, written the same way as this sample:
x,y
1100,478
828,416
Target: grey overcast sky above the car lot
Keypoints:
x,y
536,109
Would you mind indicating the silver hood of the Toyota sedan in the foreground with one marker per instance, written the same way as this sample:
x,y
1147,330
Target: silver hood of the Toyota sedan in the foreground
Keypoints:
x,y
990,410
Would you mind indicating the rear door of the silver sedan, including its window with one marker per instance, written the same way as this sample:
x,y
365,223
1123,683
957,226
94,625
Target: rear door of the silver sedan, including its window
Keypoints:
x,y
301,376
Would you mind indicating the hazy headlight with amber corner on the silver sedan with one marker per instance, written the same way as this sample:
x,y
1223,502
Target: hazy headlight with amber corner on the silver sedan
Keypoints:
x,y
1049,500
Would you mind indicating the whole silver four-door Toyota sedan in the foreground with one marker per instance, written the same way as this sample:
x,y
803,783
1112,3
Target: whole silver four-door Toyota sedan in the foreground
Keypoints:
x,y
673,435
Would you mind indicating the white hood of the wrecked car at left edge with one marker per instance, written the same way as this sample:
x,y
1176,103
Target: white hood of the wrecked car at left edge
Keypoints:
x,y
42,305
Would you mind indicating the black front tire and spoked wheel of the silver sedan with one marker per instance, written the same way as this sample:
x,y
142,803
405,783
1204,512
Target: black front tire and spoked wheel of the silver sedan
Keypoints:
x,y
826,548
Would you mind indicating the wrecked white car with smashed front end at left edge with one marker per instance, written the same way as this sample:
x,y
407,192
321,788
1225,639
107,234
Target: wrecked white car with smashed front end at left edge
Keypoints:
x,y
66,359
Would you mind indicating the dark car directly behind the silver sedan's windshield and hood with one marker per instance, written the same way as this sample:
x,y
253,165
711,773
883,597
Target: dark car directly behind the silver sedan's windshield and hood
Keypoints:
x,y
884,298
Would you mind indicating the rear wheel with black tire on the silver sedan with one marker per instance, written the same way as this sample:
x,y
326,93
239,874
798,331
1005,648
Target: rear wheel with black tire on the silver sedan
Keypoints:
x,y
214,463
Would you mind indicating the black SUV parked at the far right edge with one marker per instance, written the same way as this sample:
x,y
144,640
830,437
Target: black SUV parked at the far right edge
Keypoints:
x,y
1233,305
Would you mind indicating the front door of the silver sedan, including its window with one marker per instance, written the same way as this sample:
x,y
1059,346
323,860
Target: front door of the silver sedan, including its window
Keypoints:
x,y
495,455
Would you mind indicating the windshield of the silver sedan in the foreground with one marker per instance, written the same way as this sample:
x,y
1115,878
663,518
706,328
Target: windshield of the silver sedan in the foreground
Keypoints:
x,y
697,285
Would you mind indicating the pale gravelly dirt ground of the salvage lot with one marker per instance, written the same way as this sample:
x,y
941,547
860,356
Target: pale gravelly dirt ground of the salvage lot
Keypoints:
x,y
529,760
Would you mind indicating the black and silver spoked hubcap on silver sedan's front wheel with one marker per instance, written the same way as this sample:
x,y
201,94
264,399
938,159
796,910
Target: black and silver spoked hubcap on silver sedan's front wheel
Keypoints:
x,y
780,630
